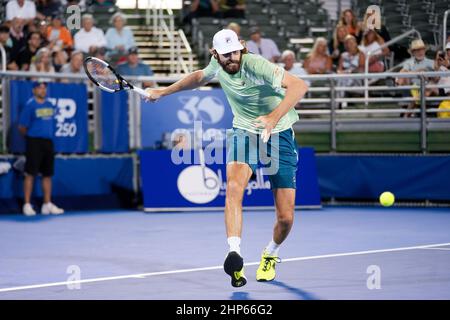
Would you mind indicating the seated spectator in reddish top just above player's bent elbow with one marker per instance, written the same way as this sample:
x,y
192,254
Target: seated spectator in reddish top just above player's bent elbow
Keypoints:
x,y
318,60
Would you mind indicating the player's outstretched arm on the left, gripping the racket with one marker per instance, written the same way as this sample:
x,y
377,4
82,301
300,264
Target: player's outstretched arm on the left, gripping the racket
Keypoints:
x,y
192,81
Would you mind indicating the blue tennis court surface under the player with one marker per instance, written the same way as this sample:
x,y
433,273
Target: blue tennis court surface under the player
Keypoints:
x,y
331,253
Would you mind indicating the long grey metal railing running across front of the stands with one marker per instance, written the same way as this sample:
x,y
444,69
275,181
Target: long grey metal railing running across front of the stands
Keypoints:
x,y
324,113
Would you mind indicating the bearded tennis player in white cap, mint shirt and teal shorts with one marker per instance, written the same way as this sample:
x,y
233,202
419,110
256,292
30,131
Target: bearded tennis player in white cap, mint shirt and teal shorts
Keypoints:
x,y
262,97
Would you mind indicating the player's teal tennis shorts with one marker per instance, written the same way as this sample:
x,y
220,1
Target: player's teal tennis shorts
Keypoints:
x,y
278,157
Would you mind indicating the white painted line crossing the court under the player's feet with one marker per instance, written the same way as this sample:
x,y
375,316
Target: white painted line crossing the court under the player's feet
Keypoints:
x,y
152,274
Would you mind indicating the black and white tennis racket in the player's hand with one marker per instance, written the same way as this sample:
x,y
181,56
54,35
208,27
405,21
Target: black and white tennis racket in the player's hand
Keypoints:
x,y
106,78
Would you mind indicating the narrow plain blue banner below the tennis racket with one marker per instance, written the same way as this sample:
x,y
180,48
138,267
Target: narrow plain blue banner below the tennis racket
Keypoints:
x,y
114,122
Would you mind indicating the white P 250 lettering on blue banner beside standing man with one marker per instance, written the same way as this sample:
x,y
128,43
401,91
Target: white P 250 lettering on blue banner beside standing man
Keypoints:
x,y
65,117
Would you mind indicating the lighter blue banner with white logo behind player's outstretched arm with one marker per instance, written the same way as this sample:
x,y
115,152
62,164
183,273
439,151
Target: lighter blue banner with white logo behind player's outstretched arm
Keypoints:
x,y
180,111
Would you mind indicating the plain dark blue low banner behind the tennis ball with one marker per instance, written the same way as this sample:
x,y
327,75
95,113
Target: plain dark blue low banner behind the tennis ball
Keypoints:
x,y
366,177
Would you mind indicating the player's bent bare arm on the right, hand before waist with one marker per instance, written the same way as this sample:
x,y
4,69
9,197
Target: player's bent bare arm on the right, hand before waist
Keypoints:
x,y
295,90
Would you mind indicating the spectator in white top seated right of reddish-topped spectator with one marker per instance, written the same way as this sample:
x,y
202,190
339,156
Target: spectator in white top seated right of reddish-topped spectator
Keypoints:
x,y
351,61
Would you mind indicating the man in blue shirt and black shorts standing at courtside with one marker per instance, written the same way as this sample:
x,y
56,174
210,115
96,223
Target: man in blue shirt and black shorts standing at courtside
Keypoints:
x,y
36,123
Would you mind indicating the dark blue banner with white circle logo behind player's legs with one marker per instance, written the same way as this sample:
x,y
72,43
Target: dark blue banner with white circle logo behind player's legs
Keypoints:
x,y
168,186
